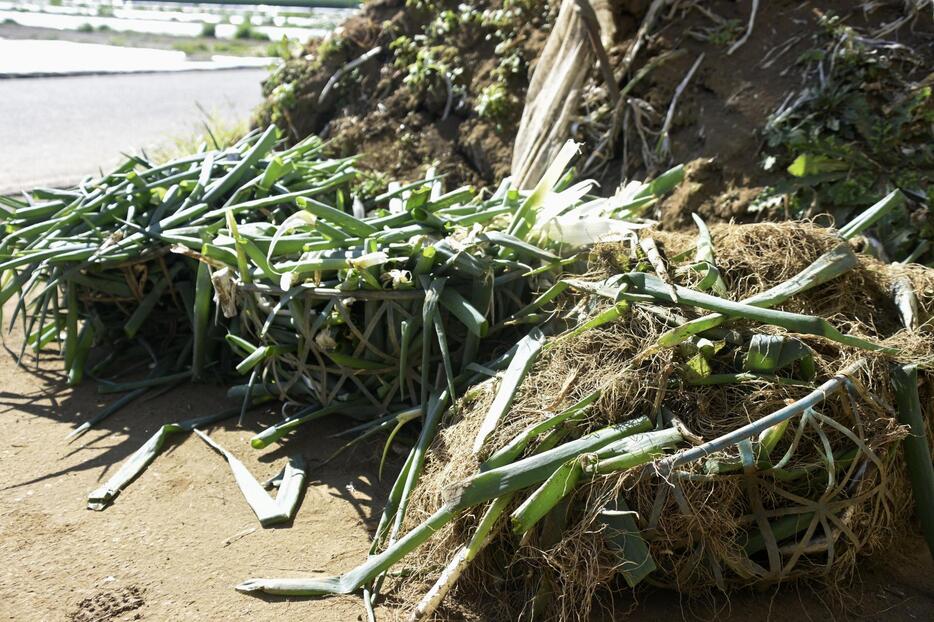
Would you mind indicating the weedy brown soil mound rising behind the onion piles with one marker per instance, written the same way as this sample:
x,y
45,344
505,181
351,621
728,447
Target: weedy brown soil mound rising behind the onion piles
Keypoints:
x,y
793,111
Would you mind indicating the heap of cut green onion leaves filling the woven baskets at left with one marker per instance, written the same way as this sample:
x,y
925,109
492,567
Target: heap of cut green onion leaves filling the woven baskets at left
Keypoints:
x,y
257,265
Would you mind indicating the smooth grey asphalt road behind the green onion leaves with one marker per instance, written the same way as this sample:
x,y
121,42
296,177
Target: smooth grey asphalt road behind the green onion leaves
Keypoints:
x,y
53,131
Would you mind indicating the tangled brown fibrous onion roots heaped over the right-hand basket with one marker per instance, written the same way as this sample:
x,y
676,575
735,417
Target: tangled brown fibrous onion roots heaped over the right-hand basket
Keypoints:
x,y
844,482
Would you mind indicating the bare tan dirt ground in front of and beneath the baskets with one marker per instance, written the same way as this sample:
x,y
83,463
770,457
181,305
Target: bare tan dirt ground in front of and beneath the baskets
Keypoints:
x,y
174,544
